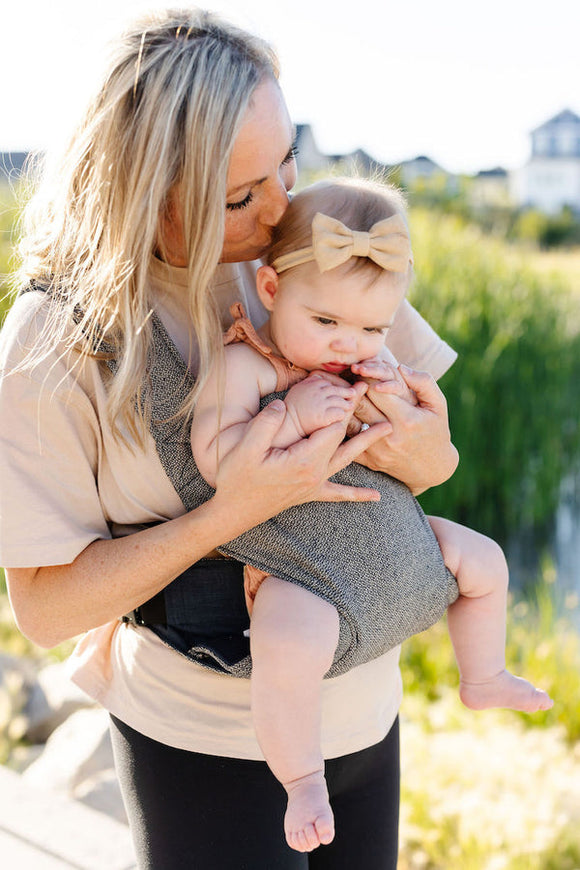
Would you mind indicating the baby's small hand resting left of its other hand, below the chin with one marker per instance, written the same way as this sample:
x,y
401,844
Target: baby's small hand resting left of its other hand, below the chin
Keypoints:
x,y
318,401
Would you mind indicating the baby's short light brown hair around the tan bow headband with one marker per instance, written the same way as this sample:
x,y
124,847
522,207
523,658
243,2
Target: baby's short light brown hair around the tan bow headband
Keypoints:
x,y
357,202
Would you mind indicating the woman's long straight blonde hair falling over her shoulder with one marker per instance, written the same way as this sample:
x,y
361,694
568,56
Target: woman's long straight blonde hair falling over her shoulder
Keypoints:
x,y
167,114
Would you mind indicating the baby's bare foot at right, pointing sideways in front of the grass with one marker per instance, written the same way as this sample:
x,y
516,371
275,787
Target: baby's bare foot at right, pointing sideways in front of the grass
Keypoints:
x,y
504,690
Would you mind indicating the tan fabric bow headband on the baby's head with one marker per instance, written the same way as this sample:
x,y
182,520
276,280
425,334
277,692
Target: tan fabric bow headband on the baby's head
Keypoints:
x,y
387,243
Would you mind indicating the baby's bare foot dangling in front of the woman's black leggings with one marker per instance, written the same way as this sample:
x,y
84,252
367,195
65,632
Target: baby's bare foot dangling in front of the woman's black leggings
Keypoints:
x,y
309,821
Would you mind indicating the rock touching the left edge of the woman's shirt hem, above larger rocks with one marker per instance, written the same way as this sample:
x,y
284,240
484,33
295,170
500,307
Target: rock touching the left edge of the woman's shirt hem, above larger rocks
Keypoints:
x,y
52,699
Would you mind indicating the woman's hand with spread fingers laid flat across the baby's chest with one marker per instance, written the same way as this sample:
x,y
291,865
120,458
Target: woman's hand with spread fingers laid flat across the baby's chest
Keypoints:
x,y
258,481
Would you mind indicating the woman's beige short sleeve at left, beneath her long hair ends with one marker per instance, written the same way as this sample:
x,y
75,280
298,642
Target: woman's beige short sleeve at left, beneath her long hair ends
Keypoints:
x,y
49,446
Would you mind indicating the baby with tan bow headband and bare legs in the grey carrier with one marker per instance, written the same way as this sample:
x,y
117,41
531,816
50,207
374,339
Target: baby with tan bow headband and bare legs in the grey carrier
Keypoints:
x,y
339,267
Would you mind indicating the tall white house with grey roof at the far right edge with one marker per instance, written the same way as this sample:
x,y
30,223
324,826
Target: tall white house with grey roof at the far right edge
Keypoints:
x,y
550,179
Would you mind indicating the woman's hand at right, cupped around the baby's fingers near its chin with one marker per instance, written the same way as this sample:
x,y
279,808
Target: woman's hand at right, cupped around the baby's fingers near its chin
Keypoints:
x,y
418,450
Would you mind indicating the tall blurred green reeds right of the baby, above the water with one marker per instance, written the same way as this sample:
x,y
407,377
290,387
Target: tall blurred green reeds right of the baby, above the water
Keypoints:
x,y
513,391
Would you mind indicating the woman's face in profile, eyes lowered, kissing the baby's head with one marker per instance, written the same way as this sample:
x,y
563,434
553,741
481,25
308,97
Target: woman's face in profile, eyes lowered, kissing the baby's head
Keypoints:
x,y
261,172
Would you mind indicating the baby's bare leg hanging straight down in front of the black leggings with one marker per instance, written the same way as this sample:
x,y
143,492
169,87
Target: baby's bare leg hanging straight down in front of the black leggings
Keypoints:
x,y
293,637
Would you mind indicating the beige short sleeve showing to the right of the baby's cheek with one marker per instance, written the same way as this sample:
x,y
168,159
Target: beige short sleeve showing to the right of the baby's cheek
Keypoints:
x,y
415,343
